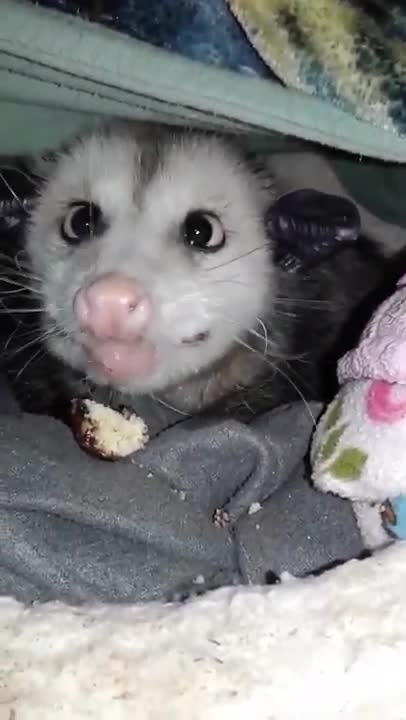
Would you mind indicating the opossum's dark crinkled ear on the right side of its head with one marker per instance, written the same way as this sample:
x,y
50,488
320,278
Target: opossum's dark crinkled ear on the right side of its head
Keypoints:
x,y
308,226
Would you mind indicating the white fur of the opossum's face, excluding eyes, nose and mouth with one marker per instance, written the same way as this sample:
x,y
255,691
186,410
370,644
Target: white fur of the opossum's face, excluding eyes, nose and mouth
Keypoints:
x,y
224,292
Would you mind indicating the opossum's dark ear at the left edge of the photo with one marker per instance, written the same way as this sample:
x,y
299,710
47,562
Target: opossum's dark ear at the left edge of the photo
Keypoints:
x,y
17,194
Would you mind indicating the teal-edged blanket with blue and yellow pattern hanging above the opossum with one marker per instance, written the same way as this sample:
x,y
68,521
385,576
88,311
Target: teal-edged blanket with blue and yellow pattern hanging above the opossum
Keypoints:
x,y
330,72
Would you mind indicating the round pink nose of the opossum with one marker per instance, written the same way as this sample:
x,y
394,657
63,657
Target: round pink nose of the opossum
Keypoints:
x,y
114,306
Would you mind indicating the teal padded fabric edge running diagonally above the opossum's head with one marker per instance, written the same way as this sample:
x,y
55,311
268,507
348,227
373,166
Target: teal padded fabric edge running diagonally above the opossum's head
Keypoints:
x,y
52,61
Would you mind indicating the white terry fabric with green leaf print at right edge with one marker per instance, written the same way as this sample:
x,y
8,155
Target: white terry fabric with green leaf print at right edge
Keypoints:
x,y
361,457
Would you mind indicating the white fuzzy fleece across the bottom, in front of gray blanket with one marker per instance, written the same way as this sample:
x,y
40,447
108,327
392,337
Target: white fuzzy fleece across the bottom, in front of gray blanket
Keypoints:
x,y
322,648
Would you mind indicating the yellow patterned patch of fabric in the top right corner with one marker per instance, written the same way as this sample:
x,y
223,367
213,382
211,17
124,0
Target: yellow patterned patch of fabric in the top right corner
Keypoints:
x,y
351,53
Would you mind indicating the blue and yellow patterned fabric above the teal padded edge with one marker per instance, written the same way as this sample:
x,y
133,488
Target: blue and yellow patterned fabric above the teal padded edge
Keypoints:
x,y
349,53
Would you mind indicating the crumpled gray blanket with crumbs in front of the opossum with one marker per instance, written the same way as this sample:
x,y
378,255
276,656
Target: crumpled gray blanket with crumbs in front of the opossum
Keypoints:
x,y
76,528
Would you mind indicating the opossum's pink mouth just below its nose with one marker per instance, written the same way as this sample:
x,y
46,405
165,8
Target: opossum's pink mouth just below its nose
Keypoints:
x,y
120,361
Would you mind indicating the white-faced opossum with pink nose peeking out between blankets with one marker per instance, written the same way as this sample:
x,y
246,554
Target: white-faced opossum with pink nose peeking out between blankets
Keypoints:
x,y
151,271
